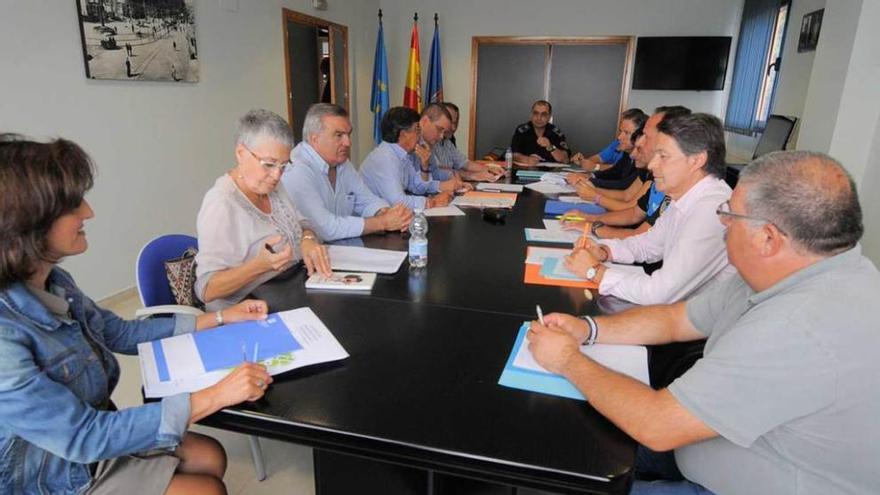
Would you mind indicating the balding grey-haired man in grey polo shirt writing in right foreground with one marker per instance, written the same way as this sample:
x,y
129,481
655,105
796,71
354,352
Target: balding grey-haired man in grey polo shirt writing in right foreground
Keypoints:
x,y
785,398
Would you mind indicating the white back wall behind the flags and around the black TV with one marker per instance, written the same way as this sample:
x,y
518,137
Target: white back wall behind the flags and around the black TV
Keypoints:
x,y
460,20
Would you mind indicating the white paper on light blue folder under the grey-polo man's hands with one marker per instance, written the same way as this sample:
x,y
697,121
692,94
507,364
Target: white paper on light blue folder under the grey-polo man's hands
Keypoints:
x,y
630,360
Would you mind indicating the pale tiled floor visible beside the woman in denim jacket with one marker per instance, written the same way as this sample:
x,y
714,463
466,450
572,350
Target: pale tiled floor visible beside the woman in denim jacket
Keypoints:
x,y
289,466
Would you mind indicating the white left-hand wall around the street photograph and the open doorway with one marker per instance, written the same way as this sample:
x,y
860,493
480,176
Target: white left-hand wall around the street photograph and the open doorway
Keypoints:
x,y
157,146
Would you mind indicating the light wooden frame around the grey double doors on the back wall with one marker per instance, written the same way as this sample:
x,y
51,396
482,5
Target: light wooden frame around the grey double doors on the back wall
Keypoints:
x,y
546,41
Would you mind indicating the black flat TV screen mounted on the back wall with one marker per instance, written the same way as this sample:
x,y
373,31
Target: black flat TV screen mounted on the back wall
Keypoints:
x,y
681,63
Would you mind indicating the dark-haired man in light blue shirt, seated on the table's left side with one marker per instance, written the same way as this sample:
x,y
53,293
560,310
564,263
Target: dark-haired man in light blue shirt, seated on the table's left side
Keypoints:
x,y
389,169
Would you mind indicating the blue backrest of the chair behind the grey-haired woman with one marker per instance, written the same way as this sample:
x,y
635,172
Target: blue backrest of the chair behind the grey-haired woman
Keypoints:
x,y
150,274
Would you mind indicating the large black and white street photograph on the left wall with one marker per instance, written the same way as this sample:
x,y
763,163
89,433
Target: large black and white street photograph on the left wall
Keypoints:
x,y
144,40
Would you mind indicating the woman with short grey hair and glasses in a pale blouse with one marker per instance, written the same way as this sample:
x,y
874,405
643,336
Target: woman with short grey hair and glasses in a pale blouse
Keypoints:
x,y
249,230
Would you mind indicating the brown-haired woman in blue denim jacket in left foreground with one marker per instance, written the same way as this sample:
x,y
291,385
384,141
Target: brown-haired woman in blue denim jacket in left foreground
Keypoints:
x,y
59,432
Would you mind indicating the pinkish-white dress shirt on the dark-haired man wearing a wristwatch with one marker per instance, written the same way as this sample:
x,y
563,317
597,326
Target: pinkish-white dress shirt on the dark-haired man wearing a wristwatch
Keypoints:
x,y
688,237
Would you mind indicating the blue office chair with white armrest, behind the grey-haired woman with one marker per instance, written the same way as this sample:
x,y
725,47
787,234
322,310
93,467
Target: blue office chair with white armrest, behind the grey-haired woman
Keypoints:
x,y
157,298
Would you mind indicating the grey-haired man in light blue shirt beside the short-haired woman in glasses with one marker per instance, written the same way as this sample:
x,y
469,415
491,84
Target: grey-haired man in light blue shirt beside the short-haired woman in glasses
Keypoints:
x,y
328,189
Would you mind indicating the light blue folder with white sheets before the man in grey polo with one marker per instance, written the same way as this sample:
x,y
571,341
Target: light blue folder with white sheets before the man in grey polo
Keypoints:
x,y
524,373
